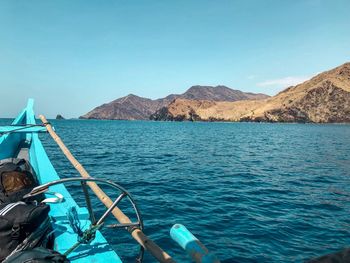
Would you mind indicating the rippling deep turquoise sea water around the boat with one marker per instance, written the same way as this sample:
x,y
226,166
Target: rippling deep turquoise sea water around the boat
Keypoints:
x,y
250,192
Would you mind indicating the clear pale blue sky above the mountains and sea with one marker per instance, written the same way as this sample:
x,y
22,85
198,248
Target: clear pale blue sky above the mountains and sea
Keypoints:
x,y
71,56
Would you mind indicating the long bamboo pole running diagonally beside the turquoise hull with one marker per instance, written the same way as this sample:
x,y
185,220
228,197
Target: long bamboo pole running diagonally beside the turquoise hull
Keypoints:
x,y
136,233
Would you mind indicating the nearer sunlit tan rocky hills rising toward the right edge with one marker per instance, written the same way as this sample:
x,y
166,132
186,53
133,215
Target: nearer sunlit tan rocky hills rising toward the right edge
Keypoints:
x,y
324,98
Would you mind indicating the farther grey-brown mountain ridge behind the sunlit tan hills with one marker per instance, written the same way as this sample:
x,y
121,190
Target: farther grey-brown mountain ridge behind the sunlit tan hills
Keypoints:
x,y
132,107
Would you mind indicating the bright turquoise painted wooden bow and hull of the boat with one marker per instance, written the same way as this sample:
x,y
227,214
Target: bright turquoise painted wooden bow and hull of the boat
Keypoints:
x,y
99,250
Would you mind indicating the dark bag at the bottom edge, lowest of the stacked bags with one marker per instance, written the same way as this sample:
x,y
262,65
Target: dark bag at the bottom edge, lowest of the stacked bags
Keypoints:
x,y
37,255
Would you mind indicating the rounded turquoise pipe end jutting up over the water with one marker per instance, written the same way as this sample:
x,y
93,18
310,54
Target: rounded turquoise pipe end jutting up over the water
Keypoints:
x,y
194,248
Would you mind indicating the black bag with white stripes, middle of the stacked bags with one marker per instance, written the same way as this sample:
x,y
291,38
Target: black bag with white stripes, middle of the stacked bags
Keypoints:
x,y
22,225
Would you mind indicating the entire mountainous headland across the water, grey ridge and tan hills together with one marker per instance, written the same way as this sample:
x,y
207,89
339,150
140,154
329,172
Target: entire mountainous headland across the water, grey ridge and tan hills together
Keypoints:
x,y
323,99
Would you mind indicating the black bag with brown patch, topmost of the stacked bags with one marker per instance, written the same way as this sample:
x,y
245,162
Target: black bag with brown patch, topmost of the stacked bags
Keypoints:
x,y
17,178
